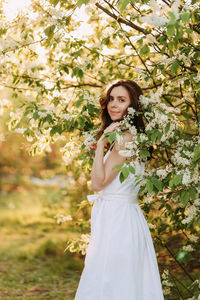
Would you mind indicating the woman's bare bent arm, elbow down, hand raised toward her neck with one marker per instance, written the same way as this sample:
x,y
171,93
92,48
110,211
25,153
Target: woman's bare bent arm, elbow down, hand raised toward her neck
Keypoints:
x,y
102,173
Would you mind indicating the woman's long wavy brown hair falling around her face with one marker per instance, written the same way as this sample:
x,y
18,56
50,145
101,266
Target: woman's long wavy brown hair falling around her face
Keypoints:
x,y
134,92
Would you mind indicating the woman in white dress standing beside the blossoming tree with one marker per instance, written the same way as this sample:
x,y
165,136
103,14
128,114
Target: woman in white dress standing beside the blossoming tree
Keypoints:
x,y
120,263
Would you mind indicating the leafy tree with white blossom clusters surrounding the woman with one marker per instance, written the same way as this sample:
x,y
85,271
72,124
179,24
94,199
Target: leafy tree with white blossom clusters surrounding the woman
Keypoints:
x,y
156,43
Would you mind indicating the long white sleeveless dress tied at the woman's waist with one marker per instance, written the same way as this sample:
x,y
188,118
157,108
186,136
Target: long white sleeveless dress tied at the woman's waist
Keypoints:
x,y
120,262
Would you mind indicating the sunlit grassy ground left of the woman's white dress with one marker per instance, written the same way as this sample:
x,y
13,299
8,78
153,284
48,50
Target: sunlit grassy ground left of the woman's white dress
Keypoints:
x,y
33,264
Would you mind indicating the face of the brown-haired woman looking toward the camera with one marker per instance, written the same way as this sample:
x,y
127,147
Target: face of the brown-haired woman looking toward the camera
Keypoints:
x,y
118,103
